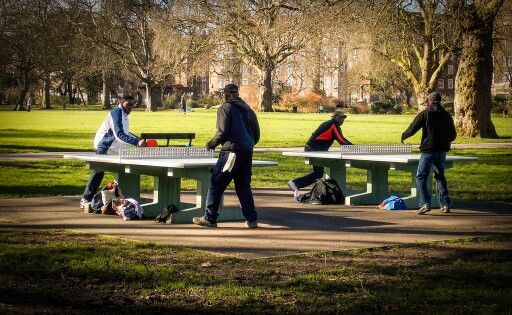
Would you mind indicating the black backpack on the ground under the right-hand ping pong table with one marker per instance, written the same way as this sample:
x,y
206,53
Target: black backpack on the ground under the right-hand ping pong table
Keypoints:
x,y
325,191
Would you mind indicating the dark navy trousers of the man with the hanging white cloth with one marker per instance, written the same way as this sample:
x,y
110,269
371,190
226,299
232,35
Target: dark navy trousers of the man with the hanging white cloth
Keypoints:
x,y
241,174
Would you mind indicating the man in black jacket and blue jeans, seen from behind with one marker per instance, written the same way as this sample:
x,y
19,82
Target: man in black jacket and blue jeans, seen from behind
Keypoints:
x,y
438,131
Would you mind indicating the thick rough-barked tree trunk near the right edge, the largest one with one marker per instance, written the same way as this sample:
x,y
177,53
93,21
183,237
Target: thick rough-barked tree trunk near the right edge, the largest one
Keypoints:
x,y
473,83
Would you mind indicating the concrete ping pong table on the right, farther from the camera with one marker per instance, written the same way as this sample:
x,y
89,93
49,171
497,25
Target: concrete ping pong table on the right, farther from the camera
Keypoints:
x,y
377,167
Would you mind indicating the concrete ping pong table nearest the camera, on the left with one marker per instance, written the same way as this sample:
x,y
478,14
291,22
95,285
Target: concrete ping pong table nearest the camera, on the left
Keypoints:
x,y
167,171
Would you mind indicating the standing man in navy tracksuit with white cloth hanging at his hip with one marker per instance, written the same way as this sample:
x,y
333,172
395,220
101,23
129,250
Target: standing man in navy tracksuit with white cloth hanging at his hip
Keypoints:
x,y
237,131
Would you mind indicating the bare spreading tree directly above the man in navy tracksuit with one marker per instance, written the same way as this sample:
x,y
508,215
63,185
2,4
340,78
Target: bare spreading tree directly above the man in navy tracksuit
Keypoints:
x,y
264,33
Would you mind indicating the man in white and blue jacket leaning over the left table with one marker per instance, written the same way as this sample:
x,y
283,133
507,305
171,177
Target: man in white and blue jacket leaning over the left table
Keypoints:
x,y
112,135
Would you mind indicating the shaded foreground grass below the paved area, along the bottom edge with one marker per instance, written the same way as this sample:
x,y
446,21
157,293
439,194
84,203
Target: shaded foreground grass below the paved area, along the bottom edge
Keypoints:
x,y
60,272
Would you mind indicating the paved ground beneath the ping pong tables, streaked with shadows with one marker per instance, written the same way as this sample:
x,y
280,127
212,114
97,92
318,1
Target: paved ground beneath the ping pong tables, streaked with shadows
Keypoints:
x,y
285,227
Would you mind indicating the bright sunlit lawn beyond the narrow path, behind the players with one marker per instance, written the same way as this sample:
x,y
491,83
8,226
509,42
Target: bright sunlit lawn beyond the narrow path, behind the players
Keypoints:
x,y
58,130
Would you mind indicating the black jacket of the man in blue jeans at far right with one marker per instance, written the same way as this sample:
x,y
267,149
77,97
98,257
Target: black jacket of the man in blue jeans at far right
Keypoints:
x,y
438,129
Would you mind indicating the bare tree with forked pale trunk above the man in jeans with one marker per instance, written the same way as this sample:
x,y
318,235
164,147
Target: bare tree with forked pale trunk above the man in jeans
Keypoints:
x,y
419,38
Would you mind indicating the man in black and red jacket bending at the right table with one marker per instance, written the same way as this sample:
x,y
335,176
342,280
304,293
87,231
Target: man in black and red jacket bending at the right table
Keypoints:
x,y
321,140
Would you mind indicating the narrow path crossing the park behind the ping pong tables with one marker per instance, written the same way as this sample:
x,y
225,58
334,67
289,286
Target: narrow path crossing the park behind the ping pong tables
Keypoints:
x,y
58,155
